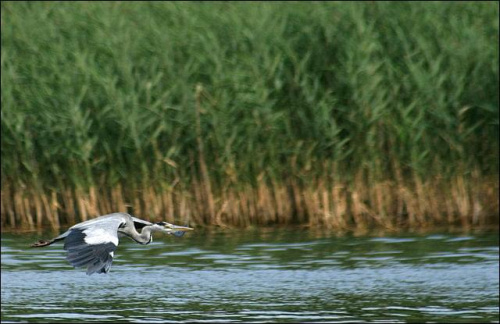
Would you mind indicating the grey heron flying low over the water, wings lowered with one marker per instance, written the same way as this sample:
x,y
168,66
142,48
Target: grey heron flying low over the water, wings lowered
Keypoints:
x,y
92,243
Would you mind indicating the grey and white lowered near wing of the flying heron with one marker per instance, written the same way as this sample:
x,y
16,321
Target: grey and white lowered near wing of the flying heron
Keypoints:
x,y
91,244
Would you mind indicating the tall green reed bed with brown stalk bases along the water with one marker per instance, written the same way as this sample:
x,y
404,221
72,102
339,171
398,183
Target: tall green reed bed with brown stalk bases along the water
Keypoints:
x,y
341,115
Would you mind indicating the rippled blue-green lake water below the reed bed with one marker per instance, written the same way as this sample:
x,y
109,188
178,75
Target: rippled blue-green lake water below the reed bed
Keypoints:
x,y
282,275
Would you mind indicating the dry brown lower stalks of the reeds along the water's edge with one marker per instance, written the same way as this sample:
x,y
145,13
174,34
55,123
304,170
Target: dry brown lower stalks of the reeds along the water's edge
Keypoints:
x,y
336,206
